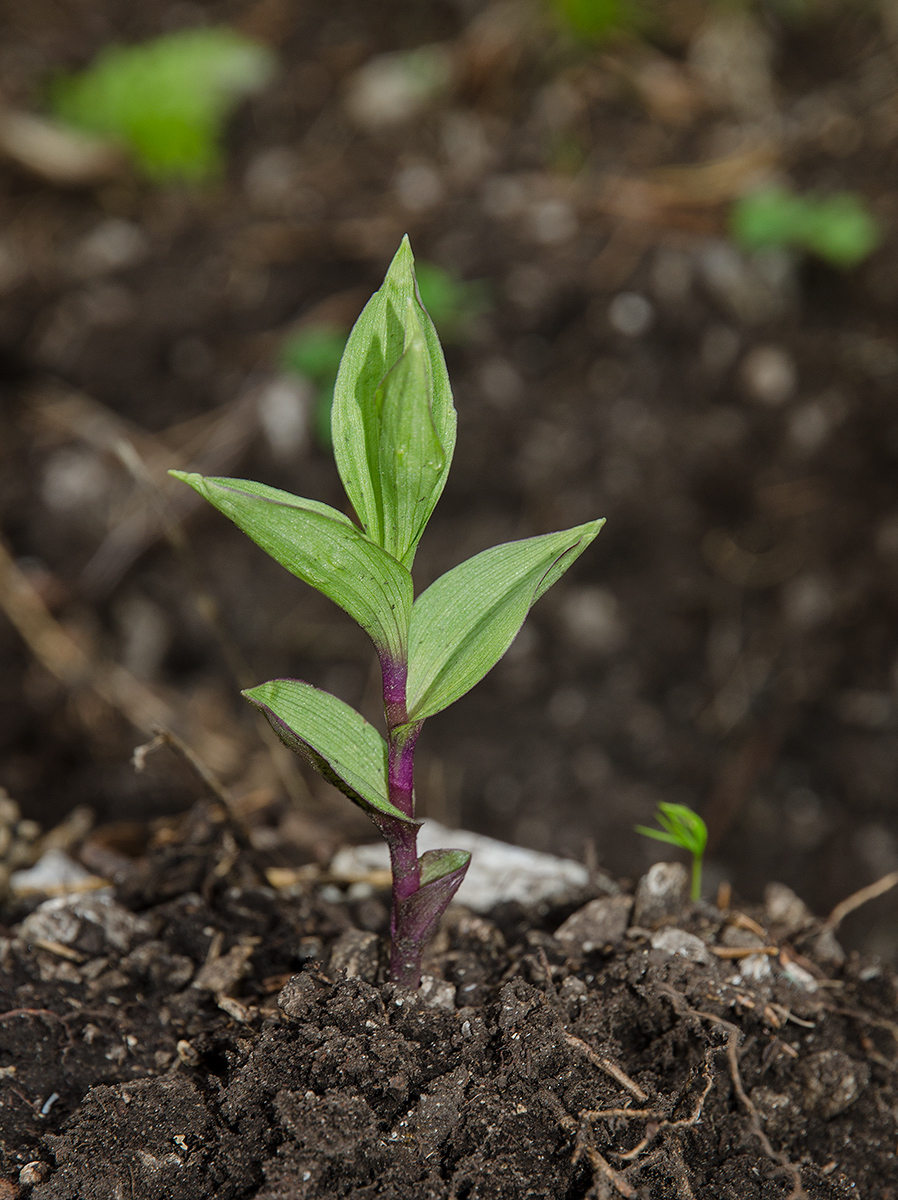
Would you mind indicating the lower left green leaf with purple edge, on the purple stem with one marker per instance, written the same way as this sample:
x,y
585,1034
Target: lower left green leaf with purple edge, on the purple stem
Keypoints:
x,y
334,739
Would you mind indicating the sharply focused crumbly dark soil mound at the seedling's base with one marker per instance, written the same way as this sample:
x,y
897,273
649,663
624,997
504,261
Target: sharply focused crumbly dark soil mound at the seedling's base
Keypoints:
x,y
170,1053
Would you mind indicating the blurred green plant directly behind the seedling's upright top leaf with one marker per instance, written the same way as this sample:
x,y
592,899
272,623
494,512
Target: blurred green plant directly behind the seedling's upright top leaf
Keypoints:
x,y
315,352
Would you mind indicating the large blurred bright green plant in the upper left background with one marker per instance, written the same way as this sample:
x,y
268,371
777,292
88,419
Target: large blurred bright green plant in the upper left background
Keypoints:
x,y
166,100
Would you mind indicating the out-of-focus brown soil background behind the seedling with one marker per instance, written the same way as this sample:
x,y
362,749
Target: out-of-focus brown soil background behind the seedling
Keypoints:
x,y
728,643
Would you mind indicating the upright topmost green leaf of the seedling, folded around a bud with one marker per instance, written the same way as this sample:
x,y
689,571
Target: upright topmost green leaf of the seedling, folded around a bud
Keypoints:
x,y
394,427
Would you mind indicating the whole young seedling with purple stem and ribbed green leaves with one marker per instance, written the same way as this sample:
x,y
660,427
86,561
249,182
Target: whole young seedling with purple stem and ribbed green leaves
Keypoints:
x,y
394,435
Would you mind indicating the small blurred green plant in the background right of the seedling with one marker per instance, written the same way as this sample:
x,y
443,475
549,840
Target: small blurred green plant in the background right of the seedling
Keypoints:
x,y
837,229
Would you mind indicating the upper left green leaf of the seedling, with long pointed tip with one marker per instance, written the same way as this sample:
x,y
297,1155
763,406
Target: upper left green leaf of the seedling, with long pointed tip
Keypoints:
x,y
325,549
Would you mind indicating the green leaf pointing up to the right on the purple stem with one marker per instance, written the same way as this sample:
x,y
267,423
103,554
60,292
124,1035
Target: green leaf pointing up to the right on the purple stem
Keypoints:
x,y
466,621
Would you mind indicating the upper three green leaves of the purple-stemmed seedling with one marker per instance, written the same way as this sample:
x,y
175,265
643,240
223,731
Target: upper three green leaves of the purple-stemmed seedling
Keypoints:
x,y
394,436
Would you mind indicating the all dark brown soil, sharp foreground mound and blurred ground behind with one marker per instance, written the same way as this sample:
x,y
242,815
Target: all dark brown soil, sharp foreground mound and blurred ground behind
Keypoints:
x,y
728,643
